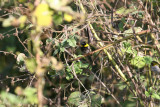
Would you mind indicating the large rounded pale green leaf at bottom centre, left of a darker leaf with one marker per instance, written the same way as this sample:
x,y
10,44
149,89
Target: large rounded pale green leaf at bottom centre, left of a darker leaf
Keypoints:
x,y
74,98
